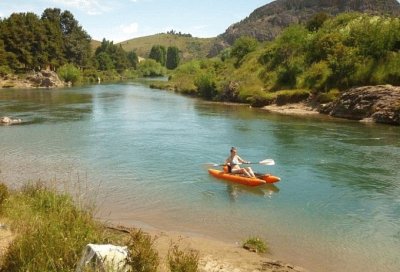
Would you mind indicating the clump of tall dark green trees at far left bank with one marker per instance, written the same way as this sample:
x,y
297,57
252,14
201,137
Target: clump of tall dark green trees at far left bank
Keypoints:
x,y
28,42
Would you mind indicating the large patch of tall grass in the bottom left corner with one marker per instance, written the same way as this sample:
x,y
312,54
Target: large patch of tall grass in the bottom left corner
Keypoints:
x,y
51,231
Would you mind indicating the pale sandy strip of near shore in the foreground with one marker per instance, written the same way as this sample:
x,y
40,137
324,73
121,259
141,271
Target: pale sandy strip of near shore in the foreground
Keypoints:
x,y
215,256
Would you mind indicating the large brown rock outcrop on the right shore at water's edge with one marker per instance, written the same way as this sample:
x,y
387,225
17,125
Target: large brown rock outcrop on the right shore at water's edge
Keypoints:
x,y
380,104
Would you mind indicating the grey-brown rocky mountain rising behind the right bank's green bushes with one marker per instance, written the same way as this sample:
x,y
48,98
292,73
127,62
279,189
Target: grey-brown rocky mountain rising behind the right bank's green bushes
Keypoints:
x,y
266,22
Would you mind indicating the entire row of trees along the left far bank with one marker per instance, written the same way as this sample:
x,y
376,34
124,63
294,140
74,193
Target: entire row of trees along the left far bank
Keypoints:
x,y
56,41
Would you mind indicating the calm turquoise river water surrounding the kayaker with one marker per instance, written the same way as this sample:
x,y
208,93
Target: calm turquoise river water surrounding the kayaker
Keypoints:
x,y
141,153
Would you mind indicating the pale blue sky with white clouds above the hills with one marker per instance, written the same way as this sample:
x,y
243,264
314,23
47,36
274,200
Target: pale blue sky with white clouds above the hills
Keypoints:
x,y
122,20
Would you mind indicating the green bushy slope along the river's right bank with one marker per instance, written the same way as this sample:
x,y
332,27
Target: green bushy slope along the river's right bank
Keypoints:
x,y
319,59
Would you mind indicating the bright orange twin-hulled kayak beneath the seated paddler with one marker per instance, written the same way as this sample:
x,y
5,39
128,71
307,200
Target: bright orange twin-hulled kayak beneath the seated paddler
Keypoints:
x,y
260,180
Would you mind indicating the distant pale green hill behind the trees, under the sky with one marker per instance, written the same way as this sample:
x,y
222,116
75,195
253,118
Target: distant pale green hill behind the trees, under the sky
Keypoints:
x,y
189,46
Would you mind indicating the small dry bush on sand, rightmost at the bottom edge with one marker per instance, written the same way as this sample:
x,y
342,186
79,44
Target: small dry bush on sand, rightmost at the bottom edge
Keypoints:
x,y
183,261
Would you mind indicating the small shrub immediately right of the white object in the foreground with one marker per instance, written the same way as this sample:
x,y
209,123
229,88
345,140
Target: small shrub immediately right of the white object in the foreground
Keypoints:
x,y
142,257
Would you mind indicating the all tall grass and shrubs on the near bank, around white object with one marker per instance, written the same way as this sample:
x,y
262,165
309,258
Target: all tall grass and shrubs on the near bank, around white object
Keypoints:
x,y
51,232
